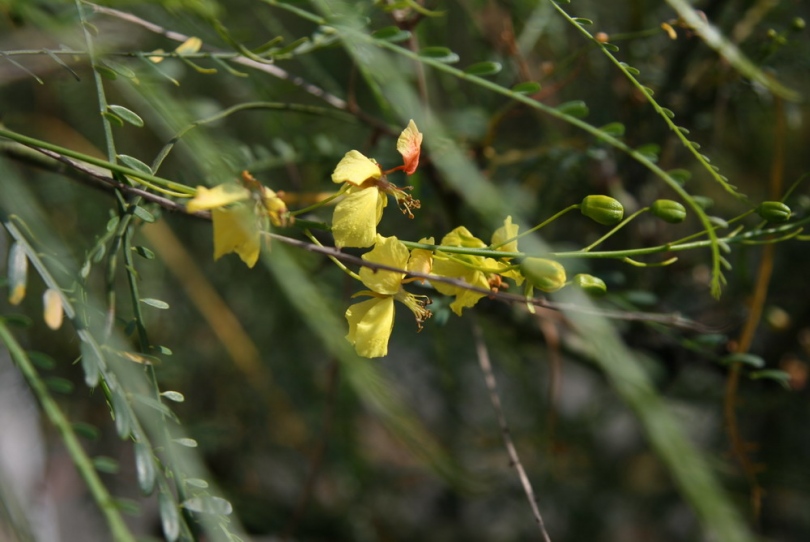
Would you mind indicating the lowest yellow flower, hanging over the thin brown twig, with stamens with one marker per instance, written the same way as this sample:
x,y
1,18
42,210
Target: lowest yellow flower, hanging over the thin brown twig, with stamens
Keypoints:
x,y
371,321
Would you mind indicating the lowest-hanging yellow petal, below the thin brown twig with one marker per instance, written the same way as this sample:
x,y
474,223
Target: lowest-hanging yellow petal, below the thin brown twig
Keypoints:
x,y
370,325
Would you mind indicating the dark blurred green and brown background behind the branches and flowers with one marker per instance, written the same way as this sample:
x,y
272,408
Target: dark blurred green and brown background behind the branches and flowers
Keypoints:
x,y
290,433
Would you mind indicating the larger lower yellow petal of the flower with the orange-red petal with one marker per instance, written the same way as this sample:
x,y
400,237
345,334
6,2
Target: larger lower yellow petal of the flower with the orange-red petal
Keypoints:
x,y
354,222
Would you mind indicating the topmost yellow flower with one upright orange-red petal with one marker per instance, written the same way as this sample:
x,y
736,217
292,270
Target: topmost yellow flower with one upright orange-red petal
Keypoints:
x,y
355,219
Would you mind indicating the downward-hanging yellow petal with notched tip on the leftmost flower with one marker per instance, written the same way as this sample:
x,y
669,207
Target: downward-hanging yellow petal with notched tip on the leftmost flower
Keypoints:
x,y
236,230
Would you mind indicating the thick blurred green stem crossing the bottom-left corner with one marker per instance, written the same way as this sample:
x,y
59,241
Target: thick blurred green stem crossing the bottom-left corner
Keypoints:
x,y
120,531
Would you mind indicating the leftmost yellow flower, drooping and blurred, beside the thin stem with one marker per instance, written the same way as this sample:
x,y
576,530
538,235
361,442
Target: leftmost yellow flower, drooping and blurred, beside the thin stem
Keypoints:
x,y
237,223
